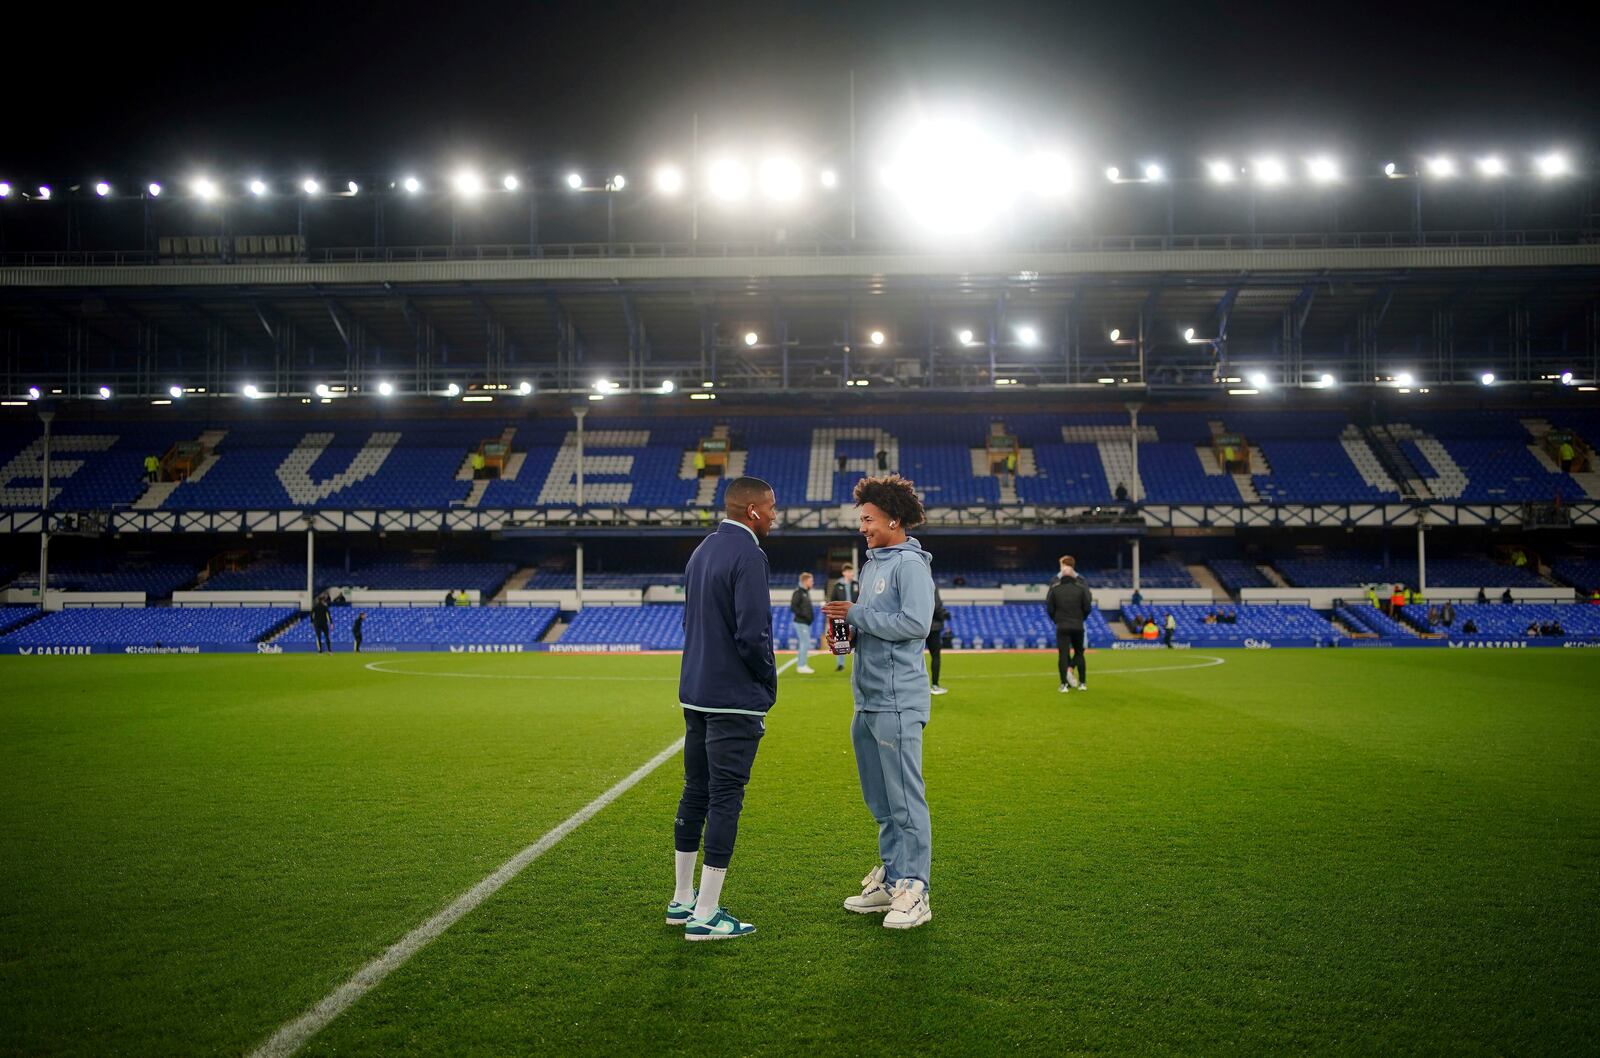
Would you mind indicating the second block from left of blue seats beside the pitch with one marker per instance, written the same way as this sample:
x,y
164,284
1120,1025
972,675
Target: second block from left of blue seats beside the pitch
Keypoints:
x,y
431,625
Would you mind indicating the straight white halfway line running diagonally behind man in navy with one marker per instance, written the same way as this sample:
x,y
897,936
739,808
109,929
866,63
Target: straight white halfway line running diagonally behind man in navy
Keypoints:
x,y
297,1033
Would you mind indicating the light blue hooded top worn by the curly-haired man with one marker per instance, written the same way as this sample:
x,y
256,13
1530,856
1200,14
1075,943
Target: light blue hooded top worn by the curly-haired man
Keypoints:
x,y
892,625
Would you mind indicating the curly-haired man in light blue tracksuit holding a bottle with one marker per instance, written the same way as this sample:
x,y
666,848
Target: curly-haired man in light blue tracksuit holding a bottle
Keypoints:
x,y
890,686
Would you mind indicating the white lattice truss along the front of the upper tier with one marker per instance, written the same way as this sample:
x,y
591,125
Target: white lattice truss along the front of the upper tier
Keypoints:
x,y
602,521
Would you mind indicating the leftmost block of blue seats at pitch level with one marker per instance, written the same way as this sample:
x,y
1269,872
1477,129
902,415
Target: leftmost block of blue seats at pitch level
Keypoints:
x,y
151,627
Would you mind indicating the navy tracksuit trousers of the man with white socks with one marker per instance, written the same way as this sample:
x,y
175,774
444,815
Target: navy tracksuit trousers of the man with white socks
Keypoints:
x,y
719,750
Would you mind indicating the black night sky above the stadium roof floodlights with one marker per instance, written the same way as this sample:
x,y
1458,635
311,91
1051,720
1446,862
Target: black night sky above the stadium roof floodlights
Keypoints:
x,y
142,92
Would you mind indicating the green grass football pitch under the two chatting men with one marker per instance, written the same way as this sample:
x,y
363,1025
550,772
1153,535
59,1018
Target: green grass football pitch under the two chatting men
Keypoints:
x,y
1290,852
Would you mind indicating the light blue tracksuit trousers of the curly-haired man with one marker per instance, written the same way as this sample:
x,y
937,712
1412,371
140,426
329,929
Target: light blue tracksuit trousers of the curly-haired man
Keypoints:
x,y
889,758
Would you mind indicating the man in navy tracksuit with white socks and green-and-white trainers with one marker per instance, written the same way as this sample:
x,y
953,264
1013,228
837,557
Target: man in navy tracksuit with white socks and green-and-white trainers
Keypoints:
x,y
727,686
